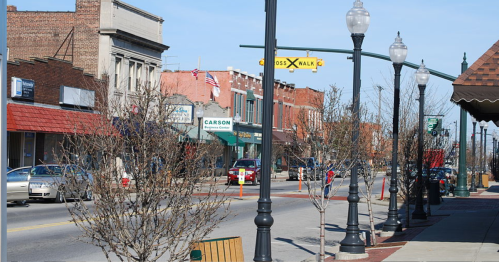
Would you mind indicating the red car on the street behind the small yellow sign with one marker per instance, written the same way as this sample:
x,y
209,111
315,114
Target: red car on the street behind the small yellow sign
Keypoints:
x,y
251,168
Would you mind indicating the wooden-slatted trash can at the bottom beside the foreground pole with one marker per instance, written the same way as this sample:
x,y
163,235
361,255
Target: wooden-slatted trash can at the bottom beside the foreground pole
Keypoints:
x,y
218,249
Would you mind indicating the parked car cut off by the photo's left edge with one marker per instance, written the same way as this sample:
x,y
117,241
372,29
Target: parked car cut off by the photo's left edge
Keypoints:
x,y
18,185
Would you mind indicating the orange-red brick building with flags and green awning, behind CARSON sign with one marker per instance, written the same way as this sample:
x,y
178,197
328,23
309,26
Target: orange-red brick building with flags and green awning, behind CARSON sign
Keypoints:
x,y
242,93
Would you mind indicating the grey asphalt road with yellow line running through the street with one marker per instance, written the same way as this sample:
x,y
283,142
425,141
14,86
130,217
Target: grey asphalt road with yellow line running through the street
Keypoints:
x,y
42,231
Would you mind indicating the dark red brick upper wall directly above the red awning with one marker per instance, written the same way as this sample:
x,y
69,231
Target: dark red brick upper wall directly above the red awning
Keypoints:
x,y
49,75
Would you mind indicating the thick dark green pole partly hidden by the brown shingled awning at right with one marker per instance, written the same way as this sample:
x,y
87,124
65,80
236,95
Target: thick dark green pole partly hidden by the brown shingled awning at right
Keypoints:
x,y
461,189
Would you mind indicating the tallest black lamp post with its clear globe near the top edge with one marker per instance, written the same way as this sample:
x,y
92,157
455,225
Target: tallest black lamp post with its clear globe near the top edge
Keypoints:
x,y
357,19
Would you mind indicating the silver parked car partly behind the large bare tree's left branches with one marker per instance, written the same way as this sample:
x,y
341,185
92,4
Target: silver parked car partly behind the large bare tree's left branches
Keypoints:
x,y
53,182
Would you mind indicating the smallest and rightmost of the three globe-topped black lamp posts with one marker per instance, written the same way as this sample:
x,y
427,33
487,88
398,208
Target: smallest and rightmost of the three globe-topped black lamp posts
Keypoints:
x,y
422,77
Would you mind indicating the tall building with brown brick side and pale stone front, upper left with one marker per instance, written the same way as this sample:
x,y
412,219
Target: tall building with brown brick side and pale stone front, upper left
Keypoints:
x,y
106,37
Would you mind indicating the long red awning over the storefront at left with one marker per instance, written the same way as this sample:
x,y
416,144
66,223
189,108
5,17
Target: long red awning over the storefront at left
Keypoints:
x,y
27,118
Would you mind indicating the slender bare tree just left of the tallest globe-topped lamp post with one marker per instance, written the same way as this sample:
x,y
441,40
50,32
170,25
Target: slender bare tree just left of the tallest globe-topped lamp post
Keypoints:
x,y
326,129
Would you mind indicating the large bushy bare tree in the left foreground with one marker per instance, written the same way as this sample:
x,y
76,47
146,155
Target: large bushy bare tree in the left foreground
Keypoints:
x,y
171,201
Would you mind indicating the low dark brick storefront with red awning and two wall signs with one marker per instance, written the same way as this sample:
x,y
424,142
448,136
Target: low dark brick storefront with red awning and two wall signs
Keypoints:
x,y
46,98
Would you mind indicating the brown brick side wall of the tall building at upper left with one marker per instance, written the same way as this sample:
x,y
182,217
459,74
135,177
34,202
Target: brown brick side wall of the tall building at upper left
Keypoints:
x,y
40,34
